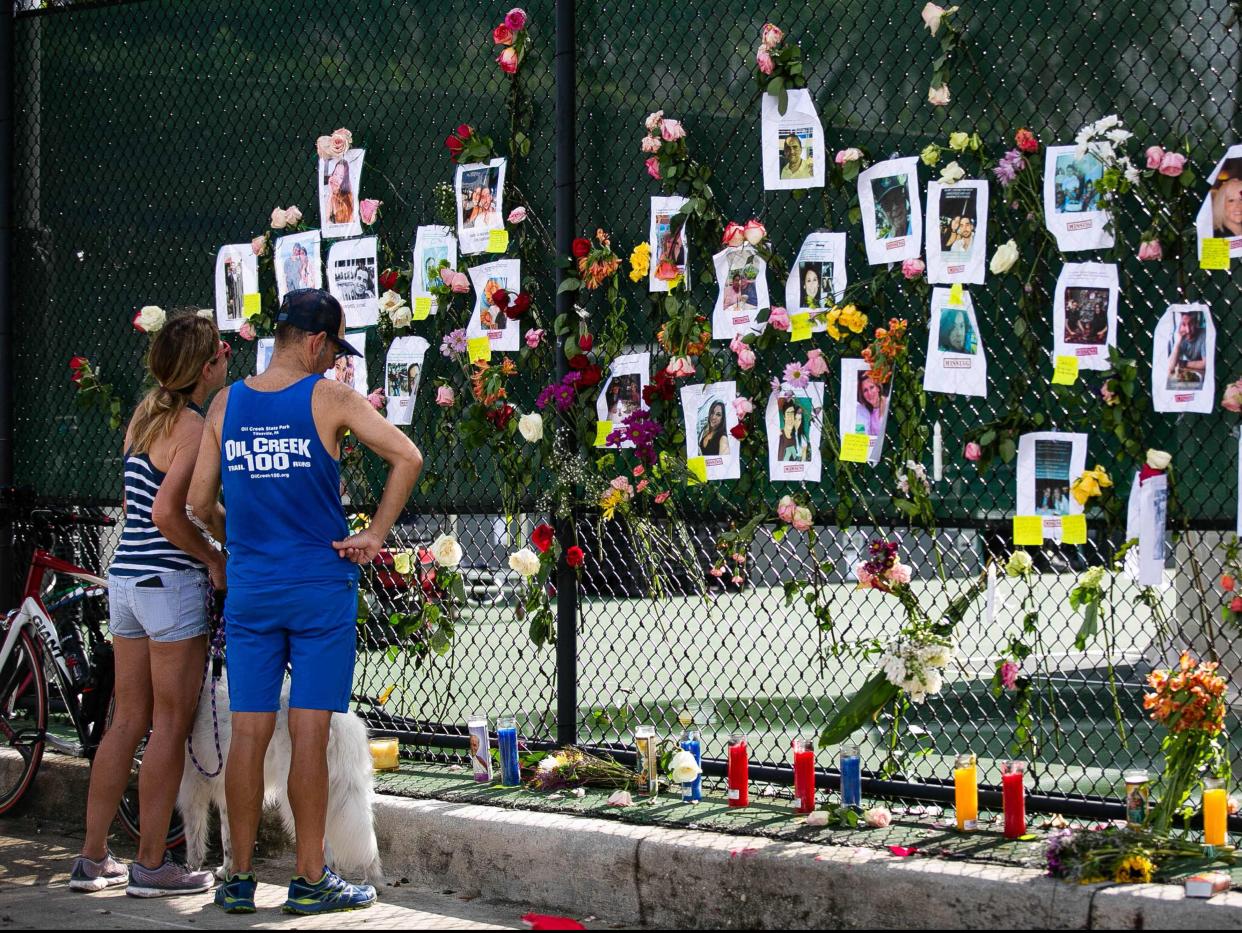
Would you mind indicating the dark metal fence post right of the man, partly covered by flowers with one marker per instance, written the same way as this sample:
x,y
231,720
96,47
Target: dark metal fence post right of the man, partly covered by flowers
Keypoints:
x,y
566,193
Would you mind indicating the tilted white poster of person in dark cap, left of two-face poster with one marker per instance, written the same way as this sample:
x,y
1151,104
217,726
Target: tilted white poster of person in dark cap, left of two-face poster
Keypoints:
x,y
892,216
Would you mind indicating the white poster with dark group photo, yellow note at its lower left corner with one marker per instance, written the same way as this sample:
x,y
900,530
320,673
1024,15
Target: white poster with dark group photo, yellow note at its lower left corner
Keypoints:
x,y
1085,314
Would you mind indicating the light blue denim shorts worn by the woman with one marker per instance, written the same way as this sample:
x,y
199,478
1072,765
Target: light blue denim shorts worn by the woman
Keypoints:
x,y
170,607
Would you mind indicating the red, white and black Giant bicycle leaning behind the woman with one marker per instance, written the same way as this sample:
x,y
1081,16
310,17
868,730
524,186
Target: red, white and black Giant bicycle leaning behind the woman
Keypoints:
x,y
47,667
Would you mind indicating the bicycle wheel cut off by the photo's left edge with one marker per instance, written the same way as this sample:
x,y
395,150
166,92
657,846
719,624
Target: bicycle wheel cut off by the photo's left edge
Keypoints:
x,y
23,720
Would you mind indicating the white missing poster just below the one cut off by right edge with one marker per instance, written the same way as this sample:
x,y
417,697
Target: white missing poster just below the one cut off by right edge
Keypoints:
x,y
1184,361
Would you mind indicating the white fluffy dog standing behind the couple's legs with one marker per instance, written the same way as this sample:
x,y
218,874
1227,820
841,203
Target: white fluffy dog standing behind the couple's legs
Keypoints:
x,y
350,833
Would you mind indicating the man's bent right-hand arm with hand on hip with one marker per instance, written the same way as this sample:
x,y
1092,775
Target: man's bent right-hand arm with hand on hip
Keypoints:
x,y
404,460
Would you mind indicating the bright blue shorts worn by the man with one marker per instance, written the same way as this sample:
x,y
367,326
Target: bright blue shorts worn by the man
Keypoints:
x,y
312,627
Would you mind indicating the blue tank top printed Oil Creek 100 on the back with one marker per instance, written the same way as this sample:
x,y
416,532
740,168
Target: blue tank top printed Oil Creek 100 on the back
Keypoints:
x,y
283,491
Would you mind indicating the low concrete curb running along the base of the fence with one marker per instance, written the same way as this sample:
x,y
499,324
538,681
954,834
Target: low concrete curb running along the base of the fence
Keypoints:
x,y
663,878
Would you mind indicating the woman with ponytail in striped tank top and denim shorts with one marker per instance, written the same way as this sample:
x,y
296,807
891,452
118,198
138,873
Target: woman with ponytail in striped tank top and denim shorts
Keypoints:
x,y
158,598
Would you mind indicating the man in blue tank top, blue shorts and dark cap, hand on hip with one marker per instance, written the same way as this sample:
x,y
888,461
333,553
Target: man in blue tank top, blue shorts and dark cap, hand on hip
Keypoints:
x,y
273,442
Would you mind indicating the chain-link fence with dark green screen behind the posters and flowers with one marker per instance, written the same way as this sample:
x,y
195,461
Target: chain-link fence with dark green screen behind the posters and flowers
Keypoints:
x,y
150,134
